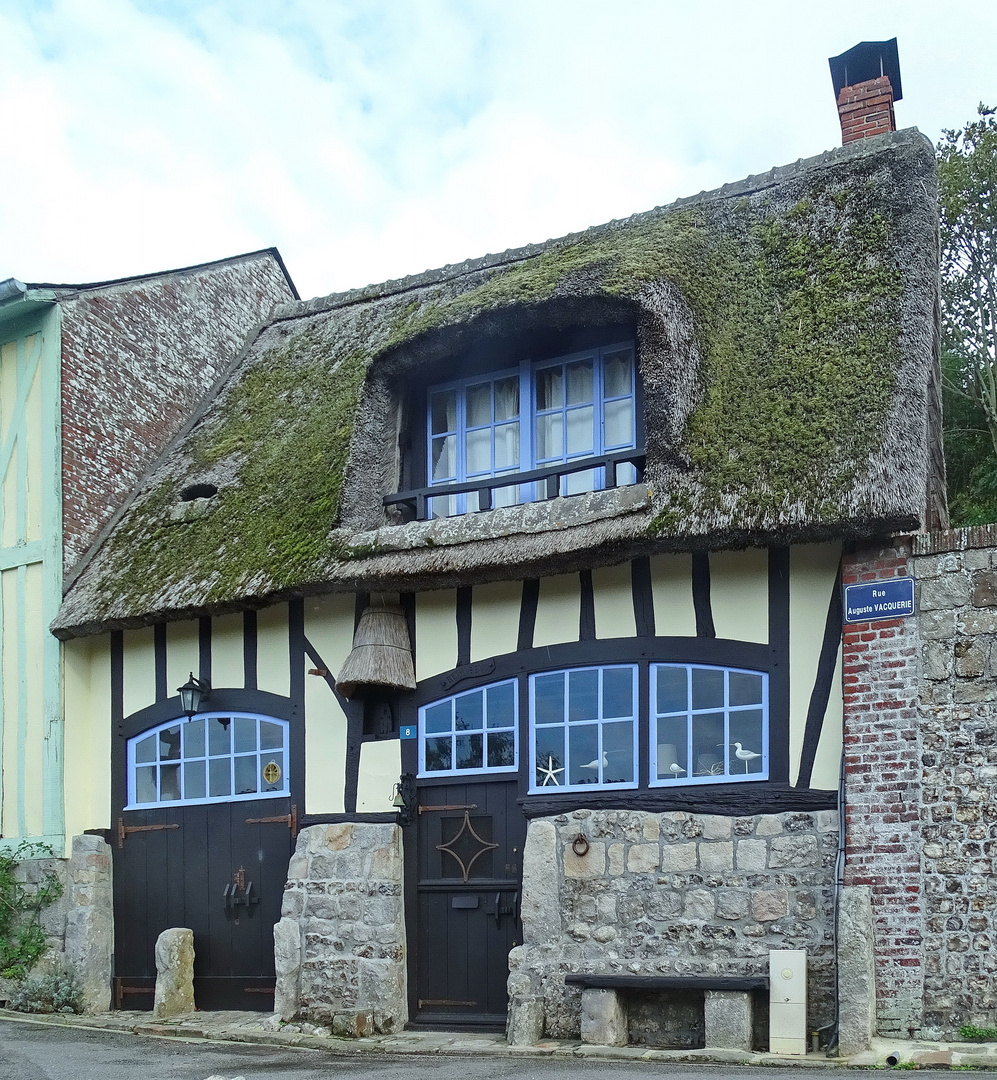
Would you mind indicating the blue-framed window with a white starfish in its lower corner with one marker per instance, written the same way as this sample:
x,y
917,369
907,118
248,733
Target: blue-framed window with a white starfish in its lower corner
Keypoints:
x,y
584,728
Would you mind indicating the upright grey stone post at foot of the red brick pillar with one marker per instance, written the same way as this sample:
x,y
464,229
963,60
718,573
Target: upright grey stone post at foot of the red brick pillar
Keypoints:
x,y
857,970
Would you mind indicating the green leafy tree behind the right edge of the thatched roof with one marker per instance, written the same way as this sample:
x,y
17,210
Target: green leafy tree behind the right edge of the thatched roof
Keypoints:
x,y
968,194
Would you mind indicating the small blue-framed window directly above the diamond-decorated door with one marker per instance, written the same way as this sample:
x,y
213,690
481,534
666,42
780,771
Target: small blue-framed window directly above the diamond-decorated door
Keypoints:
x,y
477,732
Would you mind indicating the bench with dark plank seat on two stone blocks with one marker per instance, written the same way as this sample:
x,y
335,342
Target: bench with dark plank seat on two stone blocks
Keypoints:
x,y
727,1006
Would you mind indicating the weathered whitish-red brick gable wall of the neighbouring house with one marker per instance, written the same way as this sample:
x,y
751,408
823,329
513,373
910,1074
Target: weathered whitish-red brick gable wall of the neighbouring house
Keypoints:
x,y
137,359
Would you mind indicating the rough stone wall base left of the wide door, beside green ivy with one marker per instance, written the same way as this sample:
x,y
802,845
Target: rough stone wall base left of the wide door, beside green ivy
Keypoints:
x,y
79,926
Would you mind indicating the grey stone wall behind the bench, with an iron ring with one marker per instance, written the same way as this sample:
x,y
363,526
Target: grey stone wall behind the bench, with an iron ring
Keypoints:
x,y
670,894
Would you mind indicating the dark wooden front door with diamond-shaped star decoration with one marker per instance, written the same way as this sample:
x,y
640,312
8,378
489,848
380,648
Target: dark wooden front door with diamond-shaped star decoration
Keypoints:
x,y
469,841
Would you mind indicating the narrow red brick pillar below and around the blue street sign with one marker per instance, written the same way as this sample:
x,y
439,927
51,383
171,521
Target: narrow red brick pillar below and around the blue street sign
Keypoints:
x,y
884,789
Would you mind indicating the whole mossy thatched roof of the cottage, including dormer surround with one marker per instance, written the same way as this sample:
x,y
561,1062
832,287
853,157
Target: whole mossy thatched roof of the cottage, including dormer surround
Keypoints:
x,y
786,330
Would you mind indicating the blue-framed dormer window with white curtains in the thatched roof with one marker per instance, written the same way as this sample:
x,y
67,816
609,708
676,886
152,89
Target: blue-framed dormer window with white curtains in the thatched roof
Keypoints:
x,y
529,417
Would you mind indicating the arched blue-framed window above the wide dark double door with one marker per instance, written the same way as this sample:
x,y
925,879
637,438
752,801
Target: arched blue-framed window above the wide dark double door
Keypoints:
x,y
211,758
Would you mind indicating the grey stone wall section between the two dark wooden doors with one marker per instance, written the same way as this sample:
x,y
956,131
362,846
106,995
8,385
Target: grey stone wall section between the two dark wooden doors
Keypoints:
x,y
341,943
